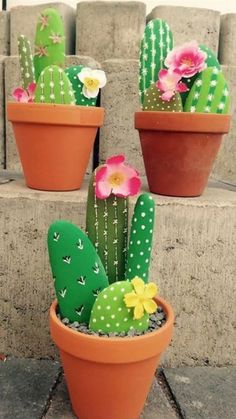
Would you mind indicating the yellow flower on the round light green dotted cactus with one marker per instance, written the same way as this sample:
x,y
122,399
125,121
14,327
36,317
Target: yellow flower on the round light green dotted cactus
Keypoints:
x,y
141,299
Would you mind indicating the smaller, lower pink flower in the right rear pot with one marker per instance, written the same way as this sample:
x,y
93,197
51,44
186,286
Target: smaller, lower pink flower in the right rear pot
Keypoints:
x,y
169,83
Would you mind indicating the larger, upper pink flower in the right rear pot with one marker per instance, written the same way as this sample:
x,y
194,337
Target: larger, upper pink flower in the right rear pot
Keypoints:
x,y
188,58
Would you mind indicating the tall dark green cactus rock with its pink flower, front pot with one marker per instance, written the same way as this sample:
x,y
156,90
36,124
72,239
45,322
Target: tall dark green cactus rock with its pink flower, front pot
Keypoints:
x,y
107,213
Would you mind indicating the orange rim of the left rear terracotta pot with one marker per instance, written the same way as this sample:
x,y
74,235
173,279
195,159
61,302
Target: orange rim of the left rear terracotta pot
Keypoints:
x,y
55,114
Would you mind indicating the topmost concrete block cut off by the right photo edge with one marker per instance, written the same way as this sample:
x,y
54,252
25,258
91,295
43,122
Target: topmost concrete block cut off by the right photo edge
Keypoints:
x,y
227,42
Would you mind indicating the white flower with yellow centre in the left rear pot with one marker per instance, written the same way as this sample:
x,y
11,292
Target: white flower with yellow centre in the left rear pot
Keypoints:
x,y
92,80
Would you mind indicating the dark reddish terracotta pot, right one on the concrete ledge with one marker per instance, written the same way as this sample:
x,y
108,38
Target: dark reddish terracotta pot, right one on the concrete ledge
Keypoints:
x,y
179,149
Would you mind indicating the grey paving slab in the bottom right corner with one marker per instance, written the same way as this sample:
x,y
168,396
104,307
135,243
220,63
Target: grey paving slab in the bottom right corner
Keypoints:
x,y
204,392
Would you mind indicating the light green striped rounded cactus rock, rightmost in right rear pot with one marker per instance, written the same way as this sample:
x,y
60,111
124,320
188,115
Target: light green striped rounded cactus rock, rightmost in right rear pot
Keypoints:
x,y
209,93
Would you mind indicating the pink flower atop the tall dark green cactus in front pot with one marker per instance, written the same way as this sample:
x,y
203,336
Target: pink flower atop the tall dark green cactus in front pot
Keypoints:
x,y
116,178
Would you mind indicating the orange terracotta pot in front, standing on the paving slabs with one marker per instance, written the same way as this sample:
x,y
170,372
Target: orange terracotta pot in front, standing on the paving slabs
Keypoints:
x,y
109,378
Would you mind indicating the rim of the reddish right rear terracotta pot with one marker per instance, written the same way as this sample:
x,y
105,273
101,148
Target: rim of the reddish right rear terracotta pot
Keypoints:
x,y
182,121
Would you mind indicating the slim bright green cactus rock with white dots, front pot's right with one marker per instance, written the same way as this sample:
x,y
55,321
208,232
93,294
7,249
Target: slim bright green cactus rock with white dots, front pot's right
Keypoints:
x,y
141,236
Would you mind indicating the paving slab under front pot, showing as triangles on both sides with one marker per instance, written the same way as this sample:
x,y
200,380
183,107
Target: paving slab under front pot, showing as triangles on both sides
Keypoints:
x,y
156,407
